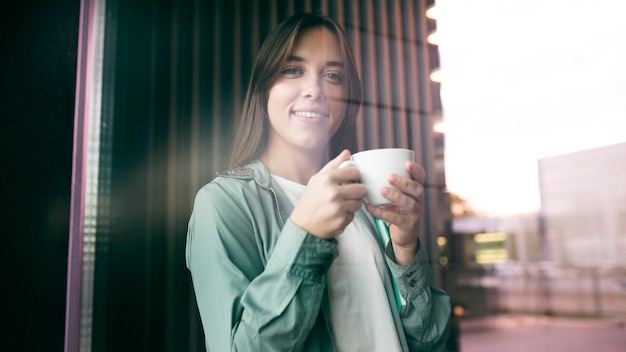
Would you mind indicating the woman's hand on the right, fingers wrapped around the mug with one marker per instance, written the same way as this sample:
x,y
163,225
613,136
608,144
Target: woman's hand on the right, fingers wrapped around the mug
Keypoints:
x,y
404,215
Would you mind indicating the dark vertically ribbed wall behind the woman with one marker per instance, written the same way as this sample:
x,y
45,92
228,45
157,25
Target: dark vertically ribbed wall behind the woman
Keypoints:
x,y
175,73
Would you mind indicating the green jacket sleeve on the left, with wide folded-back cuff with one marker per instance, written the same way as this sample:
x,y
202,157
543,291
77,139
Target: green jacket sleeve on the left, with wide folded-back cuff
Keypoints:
x,y
248,302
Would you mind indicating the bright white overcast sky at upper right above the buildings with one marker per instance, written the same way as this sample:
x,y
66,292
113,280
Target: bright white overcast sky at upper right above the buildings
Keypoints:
x,y
525,80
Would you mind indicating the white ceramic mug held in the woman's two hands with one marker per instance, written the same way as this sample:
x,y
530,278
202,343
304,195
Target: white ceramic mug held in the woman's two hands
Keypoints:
x,y
376,165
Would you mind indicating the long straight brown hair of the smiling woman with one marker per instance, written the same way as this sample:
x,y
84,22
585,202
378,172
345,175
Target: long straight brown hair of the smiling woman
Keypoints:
x,y
253,128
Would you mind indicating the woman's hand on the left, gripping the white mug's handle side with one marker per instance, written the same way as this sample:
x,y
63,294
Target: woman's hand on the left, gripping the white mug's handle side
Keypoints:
x,y
330,200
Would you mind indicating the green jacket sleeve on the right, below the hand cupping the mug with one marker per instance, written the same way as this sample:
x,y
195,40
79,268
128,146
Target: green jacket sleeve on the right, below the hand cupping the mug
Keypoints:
x,y
427,310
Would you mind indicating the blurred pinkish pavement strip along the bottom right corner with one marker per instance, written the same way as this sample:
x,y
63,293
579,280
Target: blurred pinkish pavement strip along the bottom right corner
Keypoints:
x,y
512,333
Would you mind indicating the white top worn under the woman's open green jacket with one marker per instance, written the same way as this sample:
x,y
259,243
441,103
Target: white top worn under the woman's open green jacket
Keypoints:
x,y
360,312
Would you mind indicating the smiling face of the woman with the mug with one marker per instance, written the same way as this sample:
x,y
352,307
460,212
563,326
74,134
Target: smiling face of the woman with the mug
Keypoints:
x,y
307,102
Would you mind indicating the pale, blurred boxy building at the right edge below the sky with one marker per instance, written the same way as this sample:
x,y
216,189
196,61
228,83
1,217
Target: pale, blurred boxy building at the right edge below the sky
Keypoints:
x,y
583,207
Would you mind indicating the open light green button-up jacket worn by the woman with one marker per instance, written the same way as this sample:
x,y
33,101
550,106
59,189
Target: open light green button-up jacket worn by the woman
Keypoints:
x,y
260,280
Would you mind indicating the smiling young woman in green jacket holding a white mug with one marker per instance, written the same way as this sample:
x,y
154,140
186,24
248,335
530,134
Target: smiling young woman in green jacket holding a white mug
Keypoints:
x,y
282,252
